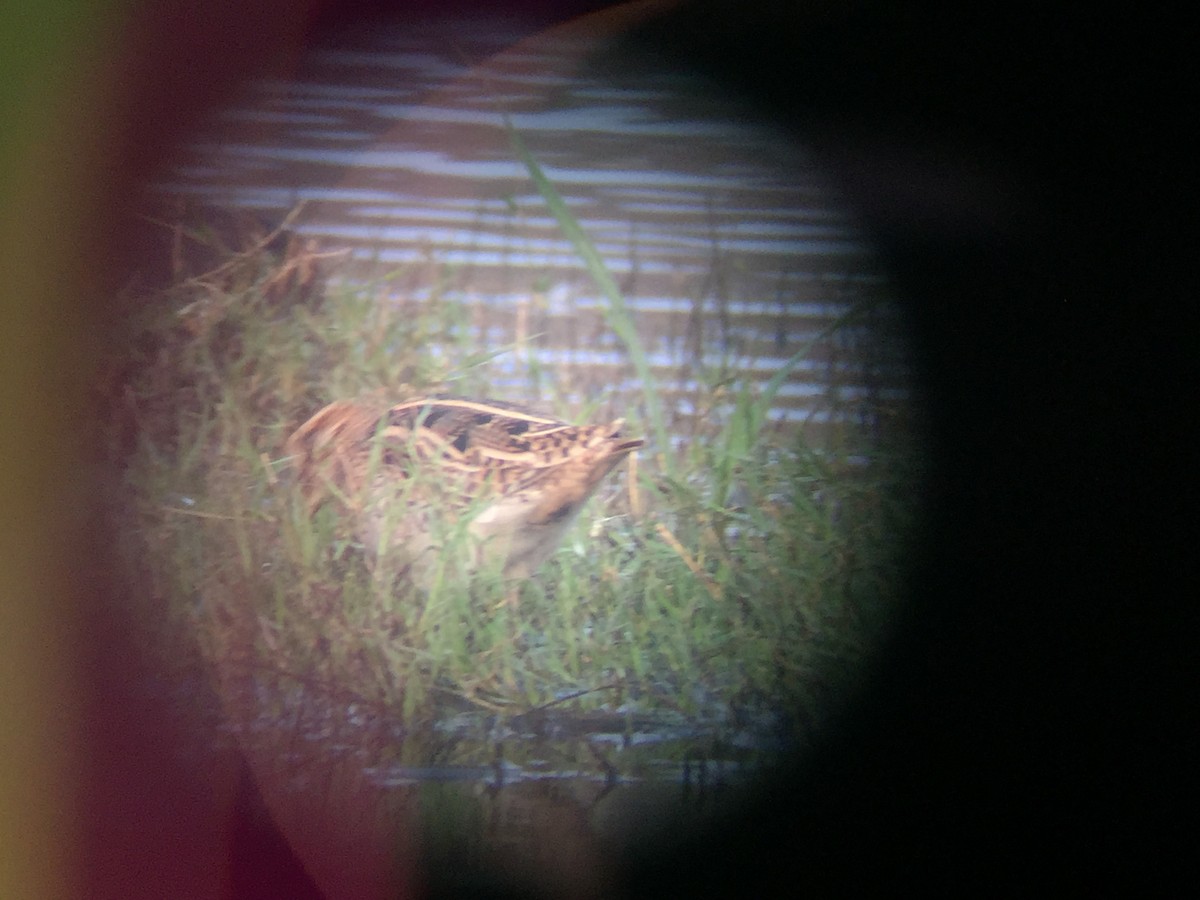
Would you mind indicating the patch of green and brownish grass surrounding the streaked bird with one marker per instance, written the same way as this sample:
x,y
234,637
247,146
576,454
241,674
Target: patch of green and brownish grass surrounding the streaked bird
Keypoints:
x,y
741,571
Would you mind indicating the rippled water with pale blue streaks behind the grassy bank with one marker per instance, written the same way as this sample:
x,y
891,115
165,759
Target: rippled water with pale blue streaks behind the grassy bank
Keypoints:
x,y
730,247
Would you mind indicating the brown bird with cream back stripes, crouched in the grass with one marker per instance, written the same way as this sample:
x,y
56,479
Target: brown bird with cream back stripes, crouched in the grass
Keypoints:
x,y
445,487
